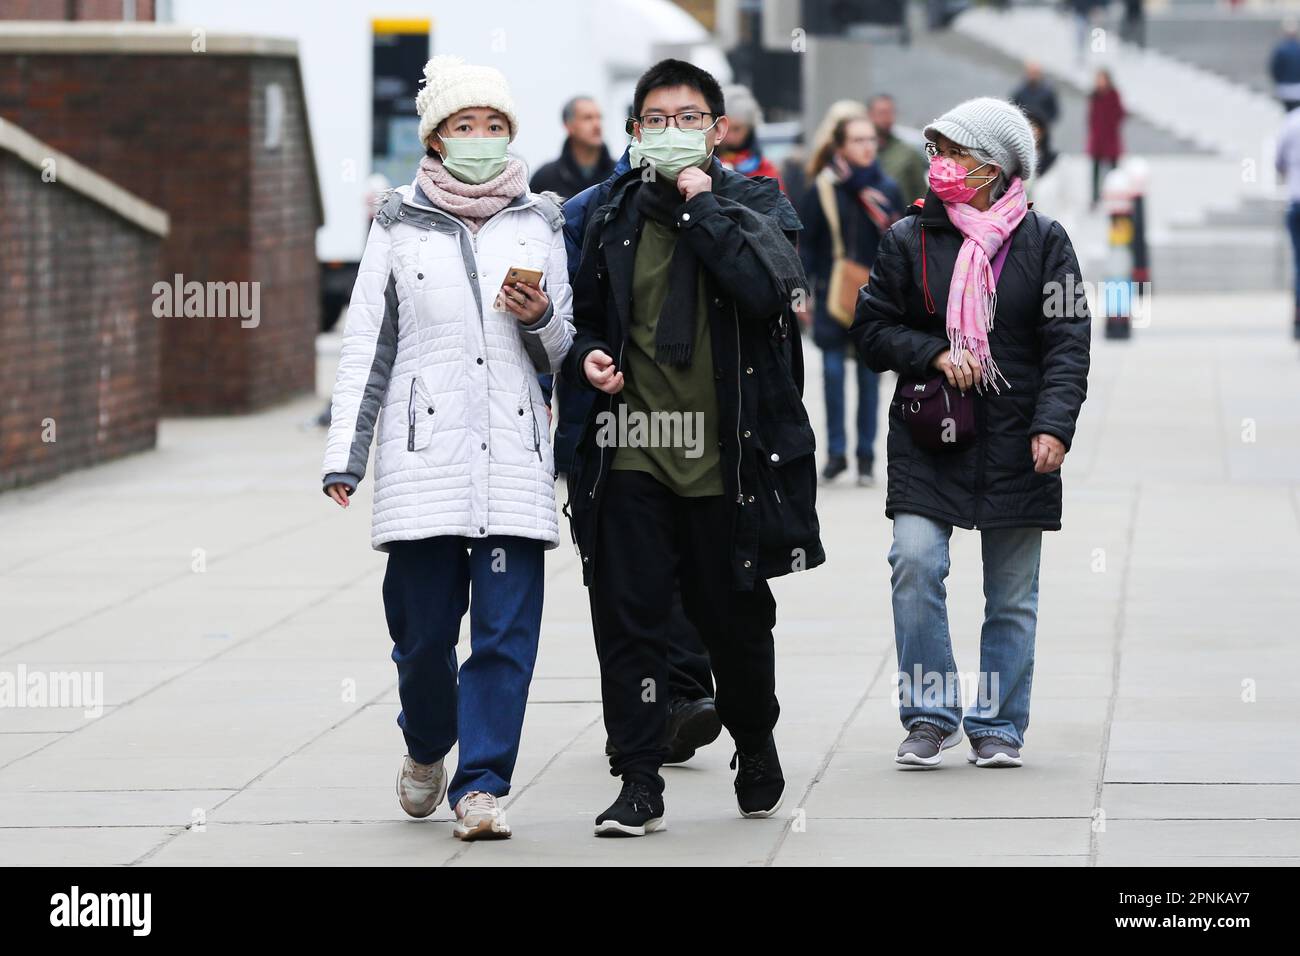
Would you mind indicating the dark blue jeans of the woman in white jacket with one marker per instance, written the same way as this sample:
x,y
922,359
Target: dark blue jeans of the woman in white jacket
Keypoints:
x,y
428,587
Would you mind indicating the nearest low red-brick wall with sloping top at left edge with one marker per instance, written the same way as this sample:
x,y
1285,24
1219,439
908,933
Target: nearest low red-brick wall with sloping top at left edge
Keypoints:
x,y
79,343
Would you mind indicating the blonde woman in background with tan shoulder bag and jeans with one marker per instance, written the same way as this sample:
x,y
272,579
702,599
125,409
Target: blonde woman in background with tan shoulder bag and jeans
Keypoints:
x,y
851,206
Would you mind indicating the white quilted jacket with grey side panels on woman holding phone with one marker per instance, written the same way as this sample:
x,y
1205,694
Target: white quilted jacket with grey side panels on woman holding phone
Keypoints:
x,y
447,383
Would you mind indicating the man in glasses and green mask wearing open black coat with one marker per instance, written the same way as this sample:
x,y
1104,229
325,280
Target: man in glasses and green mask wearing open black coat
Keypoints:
x,y
682,313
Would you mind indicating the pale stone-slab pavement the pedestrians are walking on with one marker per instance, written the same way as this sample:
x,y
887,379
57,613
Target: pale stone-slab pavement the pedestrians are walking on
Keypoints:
x,y
249,706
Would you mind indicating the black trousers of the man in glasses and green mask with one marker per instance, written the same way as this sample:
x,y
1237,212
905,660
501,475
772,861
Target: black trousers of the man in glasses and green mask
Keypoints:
x,y
648,542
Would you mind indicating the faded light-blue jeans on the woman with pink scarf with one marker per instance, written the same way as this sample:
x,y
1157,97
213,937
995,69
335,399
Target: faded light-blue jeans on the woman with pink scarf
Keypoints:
x,y
930,687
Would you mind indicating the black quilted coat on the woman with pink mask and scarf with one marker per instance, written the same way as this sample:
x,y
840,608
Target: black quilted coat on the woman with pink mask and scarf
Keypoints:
x,y
1041,340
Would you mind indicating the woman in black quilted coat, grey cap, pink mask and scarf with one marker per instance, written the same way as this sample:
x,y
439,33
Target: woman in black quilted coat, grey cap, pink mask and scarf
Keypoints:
x,y
1020,358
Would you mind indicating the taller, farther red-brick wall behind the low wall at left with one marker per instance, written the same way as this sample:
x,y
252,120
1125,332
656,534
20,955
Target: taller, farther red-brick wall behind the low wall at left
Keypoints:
x,y
183,132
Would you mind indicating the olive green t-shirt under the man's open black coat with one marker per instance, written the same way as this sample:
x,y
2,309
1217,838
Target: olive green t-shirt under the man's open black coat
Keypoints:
x,y
673,413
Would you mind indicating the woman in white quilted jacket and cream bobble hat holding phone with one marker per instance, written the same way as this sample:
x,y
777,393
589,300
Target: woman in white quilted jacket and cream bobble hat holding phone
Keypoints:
x,y
440,362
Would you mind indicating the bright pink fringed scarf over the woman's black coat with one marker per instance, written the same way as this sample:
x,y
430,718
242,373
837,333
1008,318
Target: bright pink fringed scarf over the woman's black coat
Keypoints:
x,y
973,295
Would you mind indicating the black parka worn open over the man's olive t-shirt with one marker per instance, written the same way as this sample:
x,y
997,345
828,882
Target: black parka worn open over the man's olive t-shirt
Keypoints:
x,y
766,443
